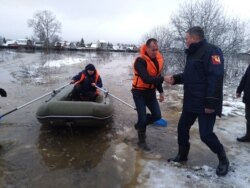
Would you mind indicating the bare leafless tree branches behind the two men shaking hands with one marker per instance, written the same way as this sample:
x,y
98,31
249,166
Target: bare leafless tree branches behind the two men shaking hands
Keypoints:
x,y
231,34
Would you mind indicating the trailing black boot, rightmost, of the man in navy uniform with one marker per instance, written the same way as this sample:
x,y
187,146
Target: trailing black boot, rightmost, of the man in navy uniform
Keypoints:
x,y
222,168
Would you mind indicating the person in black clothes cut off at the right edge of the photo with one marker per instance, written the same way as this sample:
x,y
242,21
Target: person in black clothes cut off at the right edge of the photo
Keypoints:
x,y
245,86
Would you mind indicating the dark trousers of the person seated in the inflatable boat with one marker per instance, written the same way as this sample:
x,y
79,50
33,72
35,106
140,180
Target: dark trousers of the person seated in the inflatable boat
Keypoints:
x,y
78,93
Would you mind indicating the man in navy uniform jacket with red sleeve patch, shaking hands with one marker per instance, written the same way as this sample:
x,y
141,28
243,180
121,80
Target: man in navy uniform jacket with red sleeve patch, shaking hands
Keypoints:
x,y
203,85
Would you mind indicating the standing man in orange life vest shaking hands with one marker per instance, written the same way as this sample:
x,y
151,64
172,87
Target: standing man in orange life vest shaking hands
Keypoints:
x,y
146,79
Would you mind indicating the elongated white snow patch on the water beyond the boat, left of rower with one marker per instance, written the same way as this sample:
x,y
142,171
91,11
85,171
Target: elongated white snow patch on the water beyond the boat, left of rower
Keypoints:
x,y
63,62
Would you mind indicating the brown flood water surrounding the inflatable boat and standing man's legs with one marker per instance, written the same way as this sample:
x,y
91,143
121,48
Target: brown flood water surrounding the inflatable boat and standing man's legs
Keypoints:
x,y
35,155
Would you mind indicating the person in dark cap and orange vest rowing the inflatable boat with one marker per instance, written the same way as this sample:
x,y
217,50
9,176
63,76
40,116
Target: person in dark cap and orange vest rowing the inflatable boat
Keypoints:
x,y
85,82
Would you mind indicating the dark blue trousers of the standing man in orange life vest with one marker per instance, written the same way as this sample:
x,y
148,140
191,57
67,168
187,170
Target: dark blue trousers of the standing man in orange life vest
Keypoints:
x,y
143,100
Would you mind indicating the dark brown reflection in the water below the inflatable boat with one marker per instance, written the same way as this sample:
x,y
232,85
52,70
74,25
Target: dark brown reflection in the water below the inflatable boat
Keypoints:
x,y
77,147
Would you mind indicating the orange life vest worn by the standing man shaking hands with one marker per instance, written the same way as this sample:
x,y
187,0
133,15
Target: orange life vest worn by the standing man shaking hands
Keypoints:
x,y
151,69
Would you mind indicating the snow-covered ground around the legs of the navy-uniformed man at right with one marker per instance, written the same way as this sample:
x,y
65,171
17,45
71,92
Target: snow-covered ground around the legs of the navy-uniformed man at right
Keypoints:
x,y
161,174
